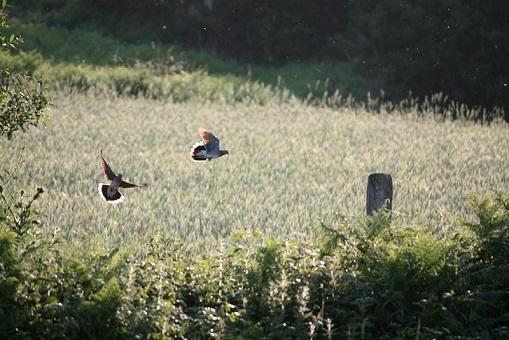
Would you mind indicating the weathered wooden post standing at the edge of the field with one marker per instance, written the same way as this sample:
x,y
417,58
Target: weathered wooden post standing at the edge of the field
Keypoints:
x,y
379,193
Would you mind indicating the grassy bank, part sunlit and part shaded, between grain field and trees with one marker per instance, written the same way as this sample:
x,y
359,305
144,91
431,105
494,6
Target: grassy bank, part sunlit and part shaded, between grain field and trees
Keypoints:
x,y
82,59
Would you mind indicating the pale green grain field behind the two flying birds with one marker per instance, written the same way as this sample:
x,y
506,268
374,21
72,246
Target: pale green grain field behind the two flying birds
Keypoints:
x,y
288,165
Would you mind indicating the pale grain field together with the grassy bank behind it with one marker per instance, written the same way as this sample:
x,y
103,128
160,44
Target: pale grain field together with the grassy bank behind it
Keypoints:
x,y
294,157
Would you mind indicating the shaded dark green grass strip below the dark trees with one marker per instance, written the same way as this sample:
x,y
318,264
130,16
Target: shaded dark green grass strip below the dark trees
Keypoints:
x,y
60,46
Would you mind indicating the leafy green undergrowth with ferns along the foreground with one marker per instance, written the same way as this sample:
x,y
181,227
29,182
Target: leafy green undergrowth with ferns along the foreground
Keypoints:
x,y
367,278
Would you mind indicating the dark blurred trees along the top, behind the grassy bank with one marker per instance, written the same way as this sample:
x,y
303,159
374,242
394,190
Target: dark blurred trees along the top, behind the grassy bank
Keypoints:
x,y
392,48
